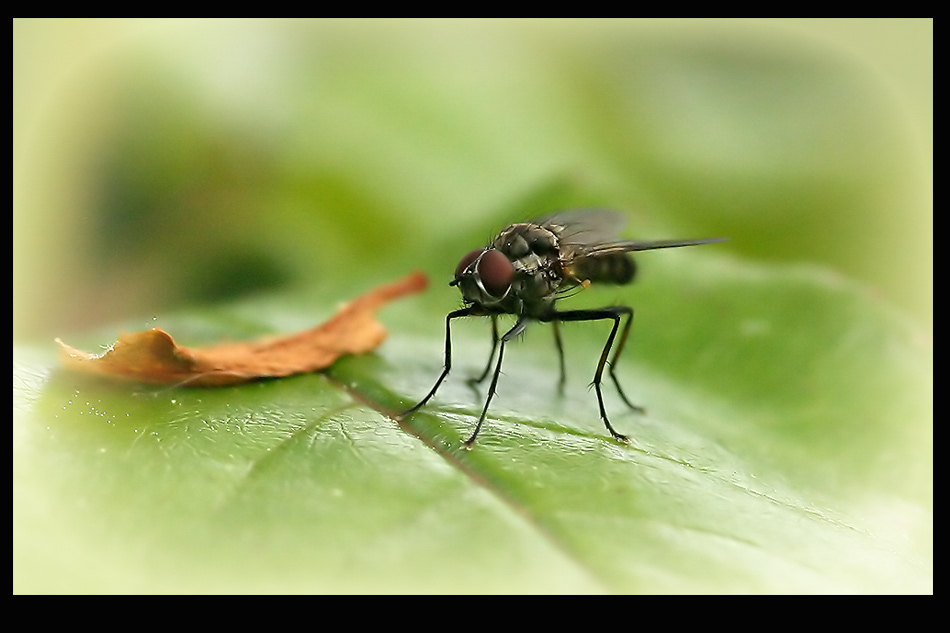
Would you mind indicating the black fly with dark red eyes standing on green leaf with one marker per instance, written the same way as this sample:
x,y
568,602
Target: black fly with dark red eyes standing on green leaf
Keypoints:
x,y
524,271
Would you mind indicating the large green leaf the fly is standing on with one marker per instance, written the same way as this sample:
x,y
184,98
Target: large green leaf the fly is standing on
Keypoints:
x,y
744,475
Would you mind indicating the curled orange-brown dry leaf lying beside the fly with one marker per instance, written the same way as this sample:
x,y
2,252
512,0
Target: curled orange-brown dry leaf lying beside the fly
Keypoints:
x,y
153,356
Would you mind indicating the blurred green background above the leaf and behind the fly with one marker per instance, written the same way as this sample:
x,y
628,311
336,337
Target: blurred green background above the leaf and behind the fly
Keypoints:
x,y
160,163
